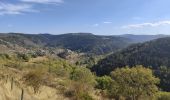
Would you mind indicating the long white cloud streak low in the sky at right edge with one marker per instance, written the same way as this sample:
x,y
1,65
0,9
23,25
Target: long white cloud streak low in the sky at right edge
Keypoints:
x,y
155,24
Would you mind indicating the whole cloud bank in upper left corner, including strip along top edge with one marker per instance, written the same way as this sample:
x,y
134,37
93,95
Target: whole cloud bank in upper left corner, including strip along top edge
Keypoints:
x,y
23,6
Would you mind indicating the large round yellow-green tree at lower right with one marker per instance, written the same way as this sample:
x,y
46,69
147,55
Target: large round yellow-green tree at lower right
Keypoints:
x,y
134,82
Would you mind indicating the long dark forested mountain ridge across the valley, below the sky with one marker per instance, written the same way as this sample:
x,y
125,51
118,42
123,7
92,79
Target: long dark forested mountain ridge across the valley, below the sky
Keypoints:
x,y
80,42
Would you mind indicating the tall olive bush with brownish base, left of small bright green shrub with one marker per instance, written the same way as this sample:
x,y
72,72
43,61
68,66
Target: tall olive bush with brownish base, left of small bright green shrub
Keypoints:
x,y
82,83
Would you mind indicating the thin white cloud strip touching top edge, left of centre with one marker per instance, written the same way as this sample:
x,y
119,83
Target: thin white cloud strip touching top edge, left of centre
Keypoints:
x,y
43,1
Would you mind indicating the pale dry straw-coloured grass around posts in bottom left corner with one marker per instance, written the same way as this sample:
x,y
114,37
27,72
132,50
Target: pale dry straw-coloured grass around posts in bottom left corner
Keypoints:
x,y
45,93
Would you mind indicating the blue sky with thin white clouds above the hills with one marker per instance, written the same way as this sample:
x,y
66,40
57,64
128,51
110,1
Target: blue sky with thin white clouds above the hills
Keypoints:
x,y
101,17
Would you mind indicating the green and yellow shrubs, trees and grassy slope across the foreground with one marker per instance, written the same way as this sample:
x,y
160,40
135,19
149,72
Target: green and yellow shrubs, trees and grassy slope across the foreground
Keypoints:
x,y
78,83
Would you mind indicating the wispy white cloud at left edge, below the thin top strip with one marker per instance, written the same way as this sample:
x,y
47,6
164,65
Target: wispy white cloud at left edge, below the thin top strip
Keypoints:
x,y
7,8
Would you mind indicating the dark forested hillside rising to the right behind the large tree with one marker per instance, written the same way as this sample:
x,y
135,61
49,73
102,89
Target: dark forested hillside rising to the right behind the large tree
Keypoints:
x,y
155,53
